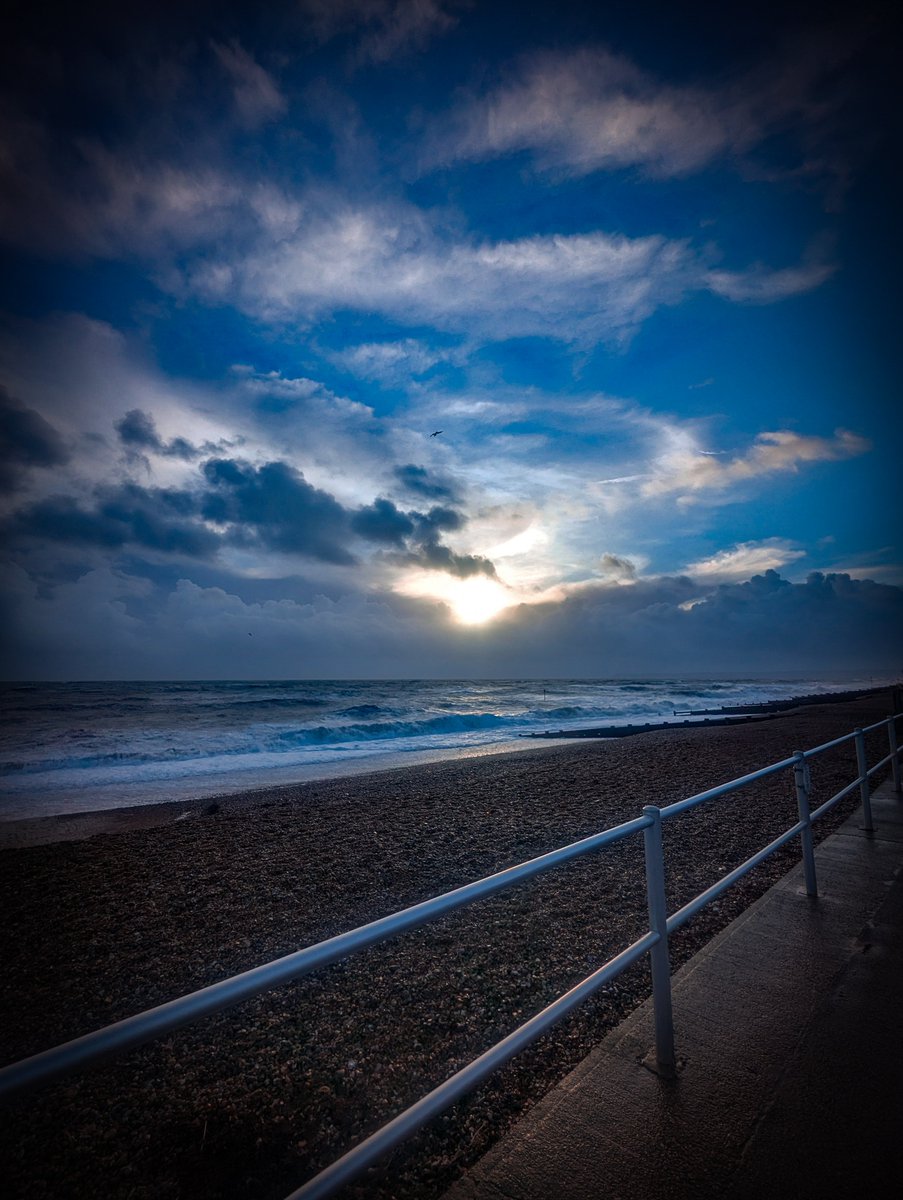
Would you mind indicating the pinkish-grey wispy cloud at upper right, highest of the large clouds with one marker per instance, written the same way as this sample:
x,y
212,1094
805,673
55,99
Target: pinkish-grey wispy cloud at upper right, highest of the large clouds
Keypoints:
x,y
578,111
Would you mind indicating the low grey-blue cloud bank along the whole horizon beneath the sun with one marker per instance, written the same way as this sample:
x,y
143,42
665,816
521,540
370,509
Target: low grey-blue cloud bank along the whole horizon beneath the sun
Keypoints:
x,y
764,627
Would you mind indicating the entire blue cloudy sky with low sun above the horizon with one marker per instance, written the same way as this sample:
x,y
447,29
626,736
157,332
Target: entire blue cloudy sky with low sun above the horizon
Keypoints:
x,y
450,339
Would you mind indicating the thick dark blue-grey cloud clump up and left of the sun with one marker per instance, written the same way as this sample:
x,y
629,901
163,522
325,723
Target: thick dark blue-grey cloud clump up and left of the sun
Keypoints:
x,y
282,509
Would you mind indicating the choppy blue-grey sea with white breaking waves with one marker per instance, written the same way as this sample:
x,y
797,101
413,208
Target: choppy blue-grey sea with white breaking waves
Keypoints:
x,y
82,747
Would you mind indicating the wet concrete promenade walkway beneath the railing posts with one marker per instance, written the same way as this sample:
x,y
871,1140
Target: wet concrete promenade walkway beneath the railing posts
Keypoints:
x,y
790,1034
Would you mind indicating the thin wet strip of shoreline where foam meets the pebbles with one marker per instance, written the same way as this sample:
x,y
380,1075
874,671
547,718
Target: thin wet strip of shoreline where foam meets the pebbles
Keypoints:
x,y
92,823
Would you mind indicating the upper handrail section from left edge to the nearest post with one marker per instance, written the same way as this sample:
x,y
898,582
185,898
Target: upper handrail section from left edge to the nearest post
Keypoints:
x,y
134,1031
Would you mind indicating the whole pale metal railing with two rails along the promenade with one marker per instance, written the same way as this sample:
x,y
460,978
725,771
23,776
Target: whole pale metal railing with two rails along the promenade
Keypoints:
x,y
156,1023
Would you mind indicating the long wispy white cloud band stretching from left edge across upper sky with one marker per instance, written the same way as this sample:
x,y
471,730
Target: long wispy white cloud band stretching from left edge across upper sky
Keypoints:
x,y
284,254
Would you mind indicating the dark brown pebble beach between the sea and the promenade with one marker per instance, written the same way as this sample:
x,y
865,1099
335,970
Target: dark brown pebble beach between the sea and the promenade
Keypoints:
x,y
111,914
